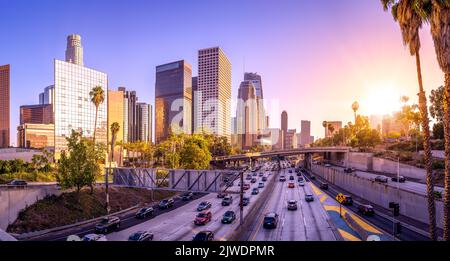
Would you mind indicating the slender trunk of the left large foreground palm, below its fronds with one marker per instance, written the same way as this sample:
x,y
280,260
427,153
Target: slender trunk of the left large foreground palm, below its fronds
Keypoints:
x,y
427,152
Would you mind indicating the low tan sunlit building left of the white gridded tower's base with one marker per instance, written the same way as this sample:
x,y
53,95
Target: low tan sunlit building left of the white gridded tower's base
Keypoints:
x,y
36,136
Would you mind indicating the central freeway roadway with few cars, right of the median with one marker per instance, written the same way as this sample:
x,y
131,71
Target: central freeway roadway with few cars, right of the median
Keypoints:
x,y
308,222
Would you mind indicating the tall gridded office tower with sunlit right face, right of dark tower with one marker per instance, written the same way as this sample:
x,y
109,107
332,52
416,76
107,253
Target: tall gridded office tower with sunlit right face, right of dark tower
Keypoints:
x,y
214,87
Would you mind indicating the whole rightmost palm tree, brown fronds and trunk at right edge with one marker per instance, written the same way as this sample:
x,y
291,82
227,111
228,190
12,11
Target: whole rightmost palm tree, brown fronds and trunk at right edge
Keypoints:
x,y
439,14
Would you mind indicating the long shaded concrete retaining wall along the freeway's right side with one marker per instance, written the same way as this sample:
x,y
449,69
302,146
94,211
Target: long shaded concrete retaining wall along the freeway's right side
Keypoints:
x,y
412,204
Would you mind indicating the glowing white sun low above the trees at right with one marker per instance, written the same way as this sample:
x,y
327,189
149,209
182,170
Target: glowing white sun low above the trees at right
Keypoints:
x,y
380,101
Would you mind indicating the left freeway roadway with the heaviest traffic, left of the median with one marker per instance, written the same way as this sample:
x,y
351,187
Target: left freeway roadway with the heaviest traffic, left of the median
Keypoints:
x,y
178,224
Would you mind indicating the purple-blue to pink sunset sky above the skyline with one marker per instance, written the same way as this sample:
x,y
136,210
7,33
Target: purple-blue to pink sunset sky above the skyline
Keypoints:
x,y
315,57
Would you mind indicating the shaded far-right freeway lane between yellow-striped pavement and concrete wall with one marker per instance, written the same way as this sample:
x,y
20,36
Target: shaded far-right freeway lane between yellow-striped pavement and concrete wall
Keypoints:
x,y
381,221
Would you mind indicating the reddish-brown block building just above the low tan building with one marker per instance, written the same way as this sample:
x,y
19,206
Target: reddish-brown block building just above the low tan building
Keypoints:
x,y
36,114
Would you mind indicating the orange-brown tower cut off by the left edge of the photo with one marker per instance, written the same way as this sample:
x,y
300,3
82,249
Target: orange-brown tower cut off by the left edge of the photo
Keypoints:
x,y
4,105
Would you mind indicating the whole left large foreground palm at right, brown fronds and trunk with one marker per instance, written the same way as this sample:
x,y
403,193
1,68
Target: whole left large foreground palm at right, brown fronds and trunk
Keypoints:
x,y
409,15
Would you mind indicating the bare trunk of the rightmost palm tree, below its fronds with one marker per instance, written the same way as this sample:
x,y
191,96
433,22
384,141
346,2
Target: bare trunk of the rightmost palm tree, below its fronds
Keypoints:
x,y
446,121
